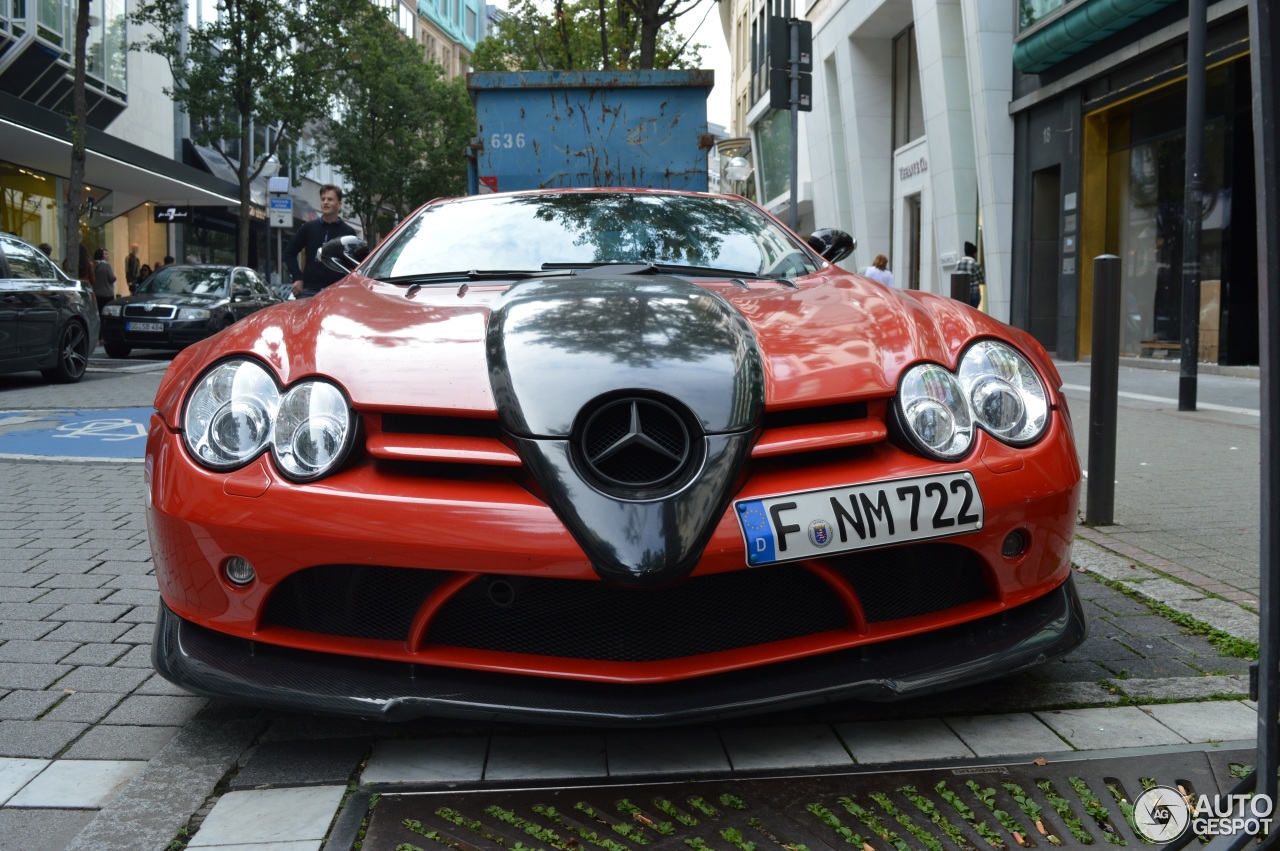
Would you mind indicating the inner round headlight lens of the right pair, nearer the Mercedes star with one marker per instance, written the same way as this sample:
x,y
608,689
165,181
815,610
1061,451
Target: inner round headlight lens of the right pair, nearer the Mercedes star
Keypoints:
x,y
935,413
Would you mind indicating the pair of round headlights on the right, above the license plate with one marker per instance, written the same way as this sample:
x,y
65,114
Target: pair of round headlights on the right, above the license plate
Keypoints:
x,y
994,388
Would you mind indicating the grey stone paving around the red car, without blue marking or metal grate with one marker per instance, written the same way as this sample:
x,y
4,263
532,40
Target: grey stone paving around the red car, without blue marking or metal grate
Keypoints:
x,y
97,752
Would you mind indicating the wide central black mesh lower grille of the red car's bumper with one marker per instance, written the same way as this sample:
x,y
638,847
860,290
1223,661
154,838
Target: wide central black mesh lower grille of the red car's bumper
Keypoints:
x,y
580,620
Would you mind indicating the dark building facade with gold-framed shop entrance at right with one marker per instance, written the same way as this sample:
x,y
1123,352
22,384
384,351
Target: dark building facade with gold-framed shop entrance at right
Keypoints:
x,y
1100,170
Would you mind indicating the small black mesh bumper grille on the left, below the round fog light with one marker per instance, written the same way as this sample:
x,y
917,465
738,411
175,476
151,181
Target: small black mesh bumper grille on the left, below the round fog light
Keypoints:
x,y
353,601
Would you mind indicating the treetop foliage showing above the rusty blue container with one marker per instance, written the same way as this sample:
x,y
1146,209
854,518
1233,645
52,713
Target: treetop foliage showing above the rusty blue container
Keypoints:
x,y
584,35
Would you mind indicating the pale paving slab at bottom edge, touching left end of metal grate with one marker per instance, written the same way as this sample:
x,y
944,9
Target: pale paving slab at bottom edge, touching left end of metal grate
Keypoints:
x,y
269,816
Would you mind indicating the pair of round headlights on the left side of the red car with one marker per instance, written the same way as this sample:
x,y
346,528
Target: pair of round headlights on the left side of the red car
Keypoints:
x,y
237,411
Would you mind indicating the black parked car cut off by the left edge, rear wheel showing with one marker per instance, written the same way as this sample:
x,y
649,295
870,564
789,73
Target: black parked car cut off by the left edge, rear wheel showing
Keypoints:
x,y
48,321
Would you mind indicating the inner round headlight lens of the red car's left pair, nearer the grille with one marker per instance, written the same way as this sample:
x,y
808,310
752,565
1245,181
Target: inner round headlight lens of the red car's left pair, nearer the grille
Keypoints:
x,y
313,431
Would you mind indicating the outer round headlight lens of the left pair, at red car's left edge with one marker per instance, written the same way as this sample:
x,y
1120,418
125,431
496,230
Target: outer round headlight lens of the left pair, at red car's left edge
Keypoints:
x,y
230,414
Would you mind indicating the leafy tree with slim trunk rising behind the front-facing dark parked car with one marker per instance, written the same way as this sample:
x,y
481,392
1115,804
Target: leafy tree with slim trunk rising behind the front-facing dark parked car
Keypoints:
x,y
262,62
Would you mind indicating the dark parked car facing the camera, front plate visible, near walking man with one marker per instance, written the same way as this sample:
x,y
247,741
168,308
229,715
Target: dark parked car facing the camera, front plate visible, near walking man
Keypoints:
x,y
180,305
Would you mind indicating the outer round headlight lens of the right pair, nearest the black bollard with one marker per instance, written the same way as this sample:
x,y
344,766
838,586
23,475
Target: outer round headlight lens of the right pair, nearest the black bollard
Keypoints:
x,y
1007,394
